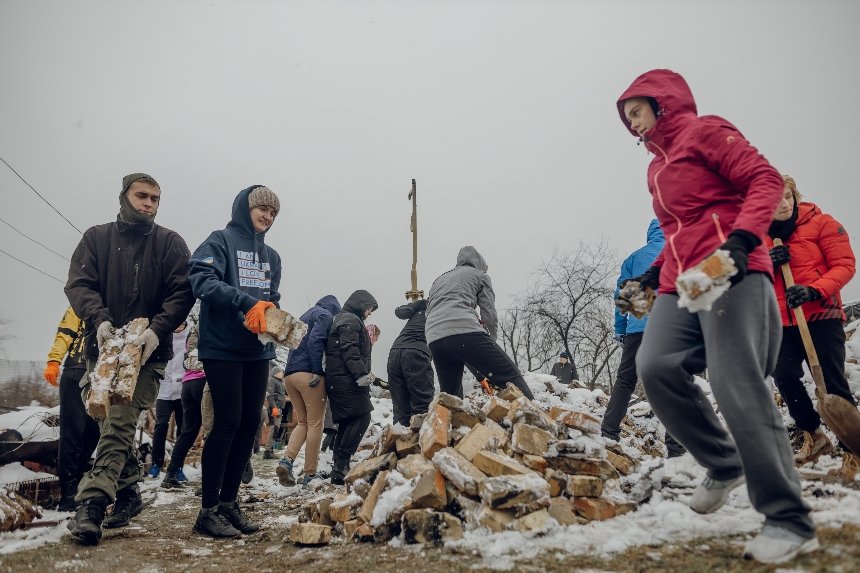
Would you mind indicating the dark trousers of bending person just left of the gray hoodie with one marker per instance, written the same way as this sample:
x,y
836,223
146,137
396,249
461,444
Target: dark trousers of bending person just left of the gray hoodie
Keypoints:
x,y
410,381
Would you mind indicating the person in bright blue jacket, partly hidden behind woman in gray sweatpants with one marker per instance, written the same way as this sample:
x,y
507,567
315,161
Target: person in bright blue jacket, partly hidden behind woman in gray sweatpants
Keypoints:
x,y
628,333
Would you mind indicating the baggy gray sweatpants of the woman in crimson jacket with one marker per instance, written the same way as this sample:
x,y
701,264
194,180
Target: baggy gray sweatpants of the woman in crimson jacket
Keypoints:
x,y
738,342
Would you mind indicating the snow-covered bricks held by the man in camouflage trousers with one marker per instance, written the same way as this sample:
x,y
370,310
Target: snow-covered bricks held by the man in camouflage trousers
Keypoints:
x,y
115,375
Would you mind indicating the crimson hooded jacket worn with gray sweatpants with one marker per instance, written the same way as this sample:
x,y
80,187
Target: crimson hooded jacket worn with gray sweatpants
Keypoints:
x,y
706,179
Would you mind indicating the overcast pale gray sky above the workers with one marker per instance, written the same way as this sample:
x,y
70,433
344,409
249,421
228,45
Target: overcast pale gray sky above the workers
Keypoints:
x,y
503,111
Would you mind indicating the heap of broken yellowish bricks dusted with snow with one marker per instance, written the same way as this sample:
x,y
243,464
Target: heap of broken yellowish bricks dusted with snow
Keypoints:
x,y
500,462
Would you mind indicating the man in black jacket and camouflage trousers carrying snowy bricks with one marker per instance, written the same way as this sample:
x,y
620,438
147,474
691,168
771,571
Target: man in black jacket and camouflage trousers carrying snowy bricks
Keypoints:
x,y
120,271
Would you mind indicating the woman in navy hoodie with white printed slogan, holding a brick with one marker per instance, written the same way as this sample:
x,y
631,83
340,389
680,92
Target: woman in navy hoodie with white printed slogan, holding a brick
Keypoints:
x,y
236,277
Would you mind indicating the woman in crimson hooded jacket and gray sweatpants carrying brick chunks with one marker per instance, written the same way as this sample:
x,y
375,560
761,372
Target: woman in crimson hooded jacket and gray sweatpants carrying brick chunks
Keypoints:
x,y
712,190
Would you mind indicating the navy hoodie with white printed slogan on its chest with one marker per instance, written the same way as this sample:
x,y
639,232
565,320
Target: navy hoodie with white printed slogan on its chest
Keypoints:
x,y
230,272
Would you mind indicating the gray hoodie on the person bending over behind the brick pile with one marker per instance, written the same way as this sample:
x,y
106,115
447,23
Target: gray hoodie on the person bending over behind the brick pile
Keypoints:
x,y
454,296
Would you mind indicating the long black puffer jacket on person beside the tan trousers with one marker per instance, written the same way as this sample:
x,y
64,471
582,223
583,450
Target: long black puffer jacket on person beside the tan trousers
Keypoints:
x,y
348,358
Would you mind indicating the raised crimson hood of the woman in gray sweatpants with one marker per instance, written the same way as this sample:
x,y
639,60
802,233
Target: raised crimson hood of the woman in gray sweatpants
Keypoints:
x,y
671,91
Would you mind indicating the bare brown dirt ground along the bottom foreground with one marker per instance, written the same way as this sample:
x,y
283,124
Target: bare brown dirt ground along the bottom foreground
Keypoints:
x,y
161,539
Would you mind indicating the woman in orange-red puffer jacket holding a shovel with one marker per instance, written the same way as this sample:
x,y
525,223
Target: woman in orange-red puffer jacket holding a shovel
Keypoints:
x,y
817,249
